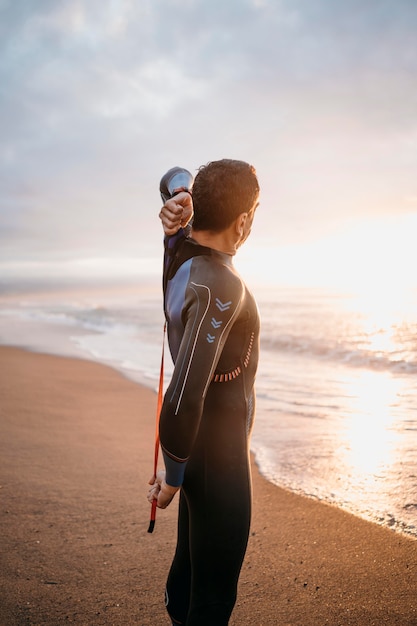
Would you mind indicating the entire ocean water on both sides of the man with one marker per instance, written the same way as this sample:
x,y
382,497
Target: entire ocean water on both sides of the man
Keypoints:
x,y
336,388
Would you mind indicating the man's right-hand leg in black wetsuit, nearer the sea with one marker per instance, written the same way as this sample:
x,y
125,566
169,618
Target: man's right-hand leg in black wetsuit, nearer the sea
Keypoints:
x,y
219,505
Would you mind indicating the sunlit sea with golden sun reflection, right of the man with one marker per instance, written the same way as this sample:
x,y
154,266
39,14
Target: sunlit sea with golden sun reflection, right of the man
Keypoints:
x,y
339,398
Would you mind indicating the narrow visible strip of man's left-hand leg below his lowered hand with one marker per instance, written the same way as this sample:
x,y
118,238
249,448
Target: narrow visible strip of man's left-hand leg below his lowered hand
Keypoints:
x,y
177,592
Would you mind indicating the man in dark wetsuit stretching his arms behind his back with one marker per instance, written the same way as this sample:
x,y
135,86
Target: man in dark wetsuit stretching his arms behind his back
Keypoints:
x,y
208,408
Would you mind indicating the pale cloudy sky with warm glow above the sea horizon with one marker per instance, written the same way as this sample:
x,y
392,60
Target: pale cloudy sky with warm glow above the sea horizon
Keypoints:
x,y
98,98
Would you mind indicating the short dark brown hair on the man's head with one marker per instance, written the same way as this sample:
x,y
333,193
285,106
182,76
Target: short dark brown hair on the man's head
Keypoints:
x,y
221,191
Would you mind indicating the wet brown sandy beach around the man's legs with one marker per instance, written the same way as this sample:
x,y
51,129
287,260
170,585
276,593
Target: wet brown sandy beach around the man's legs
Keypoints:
x,y
75,457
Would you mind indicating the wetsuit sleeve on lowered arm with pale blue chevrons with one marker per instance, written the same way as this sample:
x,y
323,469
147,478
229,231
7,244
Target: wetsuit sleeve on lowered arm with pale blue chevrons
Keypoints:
x,y
211,304
